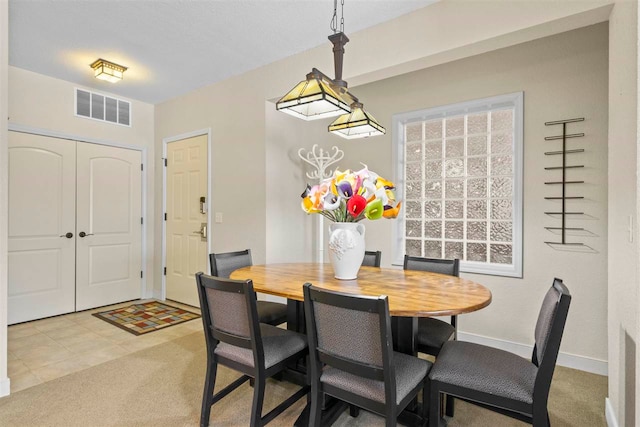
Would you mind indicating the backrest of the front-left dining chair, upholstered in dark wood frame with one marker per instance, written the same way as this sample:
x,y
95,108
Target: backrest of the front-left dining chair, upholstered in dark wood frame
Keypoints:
x,y
229,313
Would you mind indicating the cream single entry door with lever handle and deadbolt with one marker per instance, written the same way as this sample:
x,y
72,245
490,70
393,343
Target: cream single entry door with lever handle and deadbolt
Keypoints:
x,y
186,246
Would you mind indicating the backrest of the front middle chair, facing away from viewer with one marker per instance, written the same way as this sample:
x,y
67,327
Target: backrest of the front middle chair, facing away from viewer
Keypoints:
x,y
351,333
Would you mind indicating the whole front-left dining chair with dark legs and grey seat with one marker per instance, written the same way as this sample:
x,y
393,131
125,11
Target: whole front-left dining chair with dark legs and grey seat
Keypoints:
x,y
236,339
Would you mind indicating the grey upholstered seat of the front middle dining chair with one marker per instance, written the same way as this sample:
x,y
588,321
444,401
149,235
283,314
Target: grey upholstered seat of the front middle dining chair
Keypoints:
x,y
410,372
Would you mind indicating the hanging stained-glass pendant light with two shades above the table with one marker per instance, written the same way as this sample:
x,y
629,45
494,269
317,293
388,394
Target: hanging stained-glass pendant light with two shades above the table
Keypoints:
x,y
319,96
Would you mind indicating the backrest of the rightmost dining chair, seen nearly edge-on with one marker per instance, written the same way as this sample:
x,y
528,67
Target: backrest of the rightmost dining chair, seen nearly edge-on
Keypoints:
x,y
548,335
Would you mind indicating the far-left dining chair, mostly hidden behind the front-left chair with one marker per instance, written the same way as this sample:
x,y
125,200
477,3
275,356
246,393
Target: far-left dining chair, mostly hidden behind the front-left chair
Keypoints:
x,y
223,264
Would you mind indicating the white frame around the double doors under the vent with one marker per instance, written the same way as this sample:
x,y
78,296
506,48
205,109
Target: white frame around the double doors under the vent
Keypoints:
x,y
145,291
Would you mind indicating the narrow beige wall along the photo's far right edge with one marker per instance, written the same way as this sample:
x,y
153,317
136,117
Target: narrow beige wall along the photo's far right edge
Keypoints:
x,y
624,303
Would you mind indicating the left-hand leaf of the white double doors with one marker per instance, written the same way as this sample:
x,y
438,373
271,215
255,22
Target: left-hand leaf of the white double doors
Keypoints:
x,y
42,205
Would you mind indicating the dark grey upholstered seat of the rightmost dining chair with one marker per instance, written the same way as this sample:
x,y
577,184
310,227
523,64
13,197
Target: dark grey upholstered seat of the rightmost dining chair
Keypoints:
x,y
485,369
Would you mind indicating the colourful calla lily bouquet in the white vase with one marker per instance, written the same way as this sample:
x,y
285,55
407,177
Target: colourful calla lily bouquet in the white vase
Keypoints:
x,y
352,196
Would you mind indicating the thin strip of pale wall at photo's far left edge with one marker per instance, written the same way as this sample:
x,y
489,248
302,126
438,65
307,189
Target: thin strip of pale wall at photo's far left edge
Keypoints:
x,y
4,109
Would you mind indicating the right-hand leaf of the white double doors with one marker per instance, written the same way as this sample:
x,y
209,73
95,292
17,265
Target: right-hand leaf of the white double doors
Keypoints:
x,y
109,256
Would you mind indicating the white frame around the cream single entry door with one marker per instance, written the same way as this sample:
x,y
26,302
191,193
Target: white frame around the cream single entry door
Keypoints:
x,y
165,142
